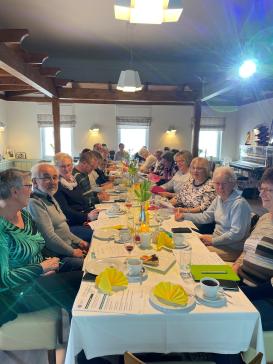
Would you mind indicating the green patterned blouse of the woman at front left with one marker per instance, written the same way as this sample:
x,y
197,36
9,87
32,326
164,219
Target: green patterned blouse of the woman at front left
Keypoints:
x,y
20,252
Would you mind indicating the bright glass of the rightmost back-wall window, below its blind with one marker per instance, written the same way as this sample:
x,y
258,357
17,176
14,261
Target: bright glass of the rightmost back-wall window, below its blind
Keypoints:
x,y
210,143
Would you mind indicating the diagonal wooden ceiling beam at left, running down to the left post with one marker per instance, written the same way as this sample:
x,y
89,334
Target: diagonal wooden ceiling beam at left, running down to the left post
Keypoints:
x,y
13,64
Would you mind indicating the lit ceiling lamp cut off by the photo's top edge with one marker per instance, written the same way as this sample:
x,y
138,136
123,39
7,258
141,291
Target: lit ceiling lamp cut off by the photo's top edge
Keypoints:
x,y
148,11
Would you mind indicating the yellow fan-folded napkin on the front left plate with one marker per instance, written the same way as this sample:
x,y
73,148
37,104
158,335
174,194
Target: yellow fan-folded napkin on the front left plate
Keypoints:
x,y
111,279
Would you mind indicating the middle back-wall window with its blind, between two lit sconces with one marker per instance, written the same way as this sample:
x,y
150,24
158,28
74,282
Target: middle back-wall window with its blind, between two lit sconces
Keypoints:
x,y
133,133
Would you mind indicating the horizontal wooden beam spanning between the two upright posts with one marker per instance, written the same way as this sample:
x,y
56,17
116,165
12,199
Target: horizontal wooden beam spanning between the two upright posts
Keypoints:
x,y
114,95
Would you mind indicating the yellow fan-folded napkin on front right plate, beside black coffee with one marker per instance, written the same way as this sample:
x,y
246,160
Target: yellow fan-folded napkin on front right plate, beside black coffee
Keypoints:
x,y
171,293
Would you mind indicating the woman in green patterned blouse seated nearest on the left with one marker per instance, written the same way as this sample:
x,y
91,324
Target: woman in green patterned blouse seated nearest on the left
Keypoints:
x,y
26,282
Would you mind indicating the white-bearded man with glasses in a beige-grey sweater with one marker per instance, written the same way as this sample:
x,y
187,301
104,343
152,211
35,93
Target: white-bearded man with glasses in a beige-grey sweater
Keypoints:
x,y
51,221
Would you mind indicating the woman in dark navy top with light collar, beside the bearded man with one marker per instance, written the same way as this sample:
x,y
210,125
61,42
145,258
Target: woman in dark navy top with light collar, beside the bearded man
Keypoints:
x,y
69,195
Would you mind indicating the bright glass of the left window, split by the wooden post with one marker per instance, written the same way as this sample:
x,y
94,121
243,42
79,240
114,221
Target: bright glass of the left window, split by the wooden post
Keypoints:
x,y
47,141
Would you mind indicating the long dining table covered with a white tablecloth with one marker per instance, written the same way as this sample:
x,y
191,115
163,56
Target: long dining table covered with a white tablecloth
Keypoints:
x,y
110,329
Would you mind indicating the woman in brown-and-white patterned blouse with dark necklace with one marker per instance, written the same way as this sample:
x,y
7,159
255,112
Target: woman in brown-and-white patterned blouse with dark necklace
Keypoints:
x,y
197,193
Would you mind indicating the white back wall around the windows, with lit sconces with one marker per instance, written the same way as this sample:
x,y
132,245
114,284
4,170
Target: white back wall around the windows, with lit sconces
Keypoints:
x,y
22,133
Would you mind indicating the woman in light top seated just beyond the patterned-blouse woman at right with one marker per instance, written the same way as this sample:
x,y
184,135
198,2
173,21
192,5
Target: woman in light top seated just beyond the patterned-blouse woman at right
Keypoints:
x,y
183,160
